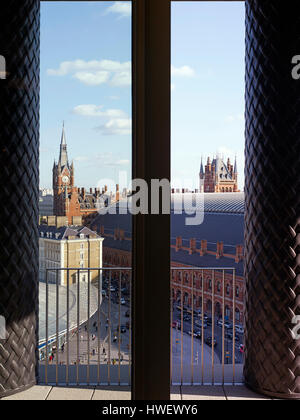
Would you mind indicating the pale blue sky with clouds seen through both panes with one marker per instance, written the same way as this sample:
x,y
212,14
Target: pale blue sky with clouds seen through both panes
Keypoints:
x,y
86,76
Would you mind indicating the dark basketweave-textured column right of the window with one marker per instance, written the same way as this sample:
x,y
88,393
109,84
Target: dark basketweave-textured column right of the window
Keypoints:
x,y
272,215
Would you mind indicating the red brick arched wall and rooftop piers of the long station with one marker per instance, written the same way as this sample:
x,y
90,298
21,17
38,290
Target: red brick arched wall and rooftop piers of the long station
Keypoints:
x,y
183,286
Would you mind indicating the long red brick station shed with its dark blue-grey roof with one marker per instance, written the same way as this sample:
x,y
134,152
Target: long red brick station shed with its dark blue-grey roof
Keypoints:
x,y
218,242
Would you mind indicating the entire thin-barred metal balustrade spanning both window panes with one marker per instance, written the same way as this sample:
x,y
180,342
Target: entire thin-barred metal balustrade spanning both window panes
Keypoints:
x,y
85,329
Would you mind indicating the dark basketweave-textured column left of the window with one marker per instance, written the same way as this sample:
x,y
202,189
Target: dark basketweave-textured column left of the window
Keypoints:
x,y
19,150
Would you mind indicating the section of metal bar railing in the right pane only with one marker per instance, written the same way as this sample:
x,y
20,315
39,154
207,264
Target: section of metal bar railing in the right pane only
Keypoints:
x,y
204,344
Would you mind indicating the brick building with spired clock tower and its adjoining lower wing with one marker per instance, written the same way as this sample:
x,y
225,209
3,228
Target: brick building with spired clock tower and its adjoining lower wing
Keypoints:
x,y
68,200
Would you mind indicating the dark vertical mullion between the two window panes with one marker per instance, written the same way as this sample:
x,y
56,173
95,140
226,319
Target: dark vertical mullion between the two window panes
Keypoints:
x,y
151,155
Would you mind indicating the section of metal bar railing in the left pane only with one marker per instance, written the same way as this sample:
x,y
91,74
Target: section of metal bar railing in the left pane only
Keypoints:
x,y
82,339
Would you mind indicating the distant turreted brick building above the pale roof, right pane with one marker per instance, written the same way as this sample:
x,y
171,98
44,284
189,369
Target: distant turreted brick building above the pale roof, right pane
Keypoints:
x,y
218,177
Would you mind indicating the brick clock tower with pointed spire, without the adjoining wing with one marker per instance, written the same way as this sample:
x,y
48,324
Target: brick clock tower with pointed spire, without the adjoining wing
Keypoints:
x,y
65,193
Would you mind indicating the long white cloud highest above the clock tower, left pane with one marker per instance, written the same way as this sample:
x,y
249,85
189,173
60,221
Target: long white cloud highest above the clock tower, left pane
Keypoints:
x,y
95,72
